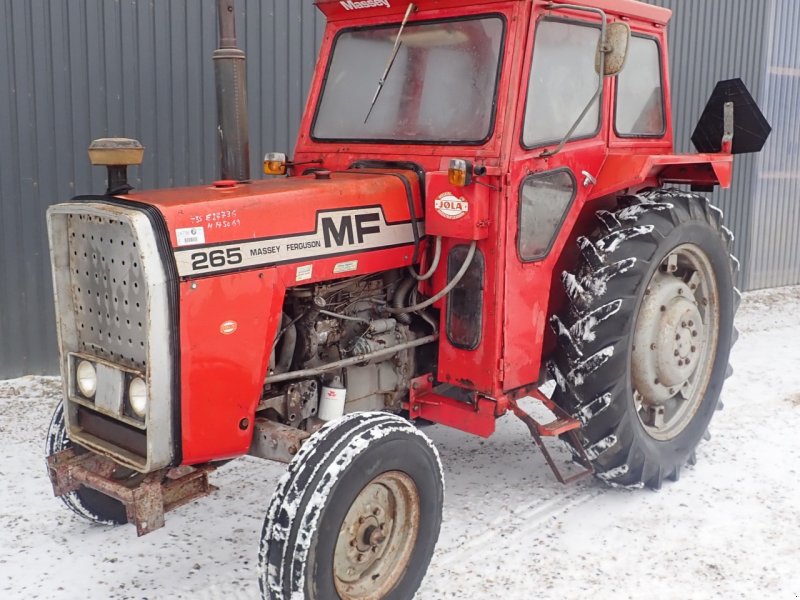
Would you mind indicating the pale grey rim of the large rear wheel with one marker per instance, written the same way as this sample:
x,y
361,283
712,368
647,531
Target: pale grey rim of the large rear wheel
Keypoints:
x,y
675,342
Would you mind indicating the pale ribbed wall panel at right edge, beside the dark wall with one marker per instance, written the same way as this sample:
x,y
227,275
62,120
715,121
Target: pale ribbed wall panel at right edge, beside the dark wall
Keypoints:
x,y
775,218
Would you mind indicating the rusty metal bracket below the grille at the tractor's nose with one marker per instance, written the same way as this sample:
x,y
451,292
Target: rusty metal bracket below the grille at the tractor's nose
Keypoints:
x,y
146,499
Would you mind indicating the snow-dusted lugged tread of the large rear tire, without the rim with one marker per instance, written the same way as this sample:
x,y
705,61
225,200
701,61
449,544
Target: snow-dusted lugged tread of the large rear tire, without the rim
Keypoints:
x,y
606,255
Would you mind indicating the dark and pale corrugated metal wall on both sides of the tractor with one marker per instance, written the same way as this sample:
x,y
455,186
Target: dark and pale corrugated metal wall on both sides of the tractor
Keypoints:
x,y
74,71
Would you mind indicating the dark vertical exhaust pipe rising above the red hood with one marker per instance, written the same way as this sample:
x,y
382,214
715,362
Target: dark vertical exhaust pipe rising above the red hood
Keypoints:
x,y
231,84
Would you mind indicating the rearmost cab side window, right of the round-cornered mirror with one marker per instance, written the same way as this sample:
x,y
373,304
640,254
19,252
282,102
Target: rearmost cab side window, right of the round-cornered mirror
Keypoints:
x,y
640,97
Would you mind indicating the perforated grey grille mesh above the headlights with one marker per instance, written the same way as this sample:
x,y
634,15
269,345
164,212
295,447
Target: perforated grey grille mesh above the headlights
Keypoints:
x,y
109,290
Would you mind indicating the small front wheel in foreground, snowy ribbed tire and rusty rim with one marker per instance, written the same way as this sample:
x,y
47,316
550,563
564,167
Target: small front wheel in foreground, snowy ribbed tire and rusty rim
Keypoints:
x,y
357,515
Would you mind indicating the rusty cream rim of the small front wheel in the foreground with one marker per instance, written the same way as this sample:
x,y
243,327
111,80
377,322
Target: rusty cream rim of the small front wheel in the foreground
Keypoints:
x,y
377,537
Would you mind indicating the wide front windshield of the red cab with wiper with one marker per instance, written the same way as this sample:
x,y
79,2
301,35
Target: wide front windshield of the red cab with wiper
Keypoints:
x,y
440,89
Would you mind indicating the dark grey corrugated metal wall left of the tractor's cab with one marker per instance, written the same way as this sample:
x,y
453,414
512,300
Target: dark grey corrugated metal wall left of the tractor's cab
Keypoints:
x,y
74,71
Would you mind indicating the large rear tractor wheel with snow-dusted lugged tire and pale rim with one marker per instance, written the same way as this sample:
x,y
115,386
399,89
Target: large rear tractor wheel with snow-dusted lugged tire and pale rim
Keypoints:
x,y
645,335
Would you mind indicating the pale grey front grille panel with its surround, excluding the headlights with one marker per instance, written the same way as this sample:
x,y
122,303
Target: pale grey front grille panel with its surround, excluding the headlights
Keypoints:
x,y
113,310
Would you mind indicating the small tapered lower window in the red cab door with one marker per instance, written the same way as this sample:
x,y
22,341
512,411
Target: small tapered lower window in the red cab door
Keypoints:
x,y
543,202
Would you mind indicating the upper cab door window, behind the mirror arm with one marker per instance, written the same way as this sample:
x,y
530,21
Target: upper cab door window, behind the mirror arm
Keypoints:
x,y
562,82
